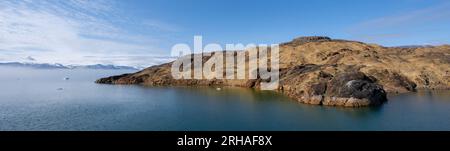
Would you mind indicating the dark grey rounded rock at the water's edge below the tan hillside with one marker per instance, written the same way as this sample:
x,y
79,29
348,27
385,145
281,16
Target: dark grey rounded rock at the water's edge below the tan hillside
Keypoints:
x,y
358,86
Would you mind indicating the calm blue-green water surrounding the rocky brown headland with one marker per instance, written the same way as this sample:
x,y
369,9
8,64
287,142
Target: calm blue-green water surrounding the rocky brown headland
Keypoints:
x,y
37,99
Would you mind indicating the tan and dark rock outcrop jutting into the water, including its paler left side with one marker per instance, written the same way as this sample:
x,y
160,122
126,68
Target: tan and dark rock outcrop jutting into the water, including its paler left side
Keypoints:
x,y
350,89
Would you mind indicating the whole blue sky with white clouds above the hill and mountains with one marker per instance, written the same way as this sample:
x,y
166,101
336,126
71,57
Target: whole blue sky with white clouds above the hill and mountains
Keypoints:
x,y
142,32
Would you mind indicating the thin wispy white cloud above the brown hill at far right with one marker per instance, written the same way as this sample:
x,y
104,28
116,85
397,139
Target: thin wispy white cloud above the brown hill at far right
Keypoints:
x,y
402,25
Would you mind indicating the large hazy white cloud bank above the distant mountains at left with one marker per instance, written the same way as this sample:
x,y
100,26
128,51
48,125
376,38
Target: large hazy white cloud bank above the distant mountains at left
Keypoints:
x,y
67,31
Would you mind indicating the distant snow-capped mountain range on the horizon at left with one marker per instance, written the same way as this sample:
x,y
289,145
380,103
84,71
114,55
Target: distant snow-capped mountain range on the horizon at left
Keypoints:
x,y
61,66
